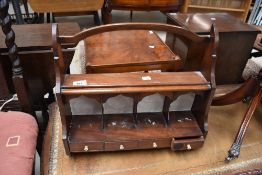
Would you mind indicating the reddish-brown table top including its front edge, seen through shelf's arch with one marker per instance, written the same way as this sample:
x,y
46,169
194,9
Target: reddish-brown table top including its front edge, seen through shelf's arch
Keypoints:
x,y
137,50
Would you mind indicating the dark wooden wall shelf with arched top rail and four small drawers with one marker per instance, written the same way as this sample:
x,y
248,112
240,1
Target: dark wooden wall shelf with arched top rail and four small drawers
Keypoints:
x,y
180,130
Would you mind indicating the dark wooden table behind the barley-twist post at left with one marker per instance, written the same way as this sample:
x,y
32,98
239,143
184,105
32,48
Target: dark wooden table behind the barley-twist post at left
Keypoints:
x,y
38,69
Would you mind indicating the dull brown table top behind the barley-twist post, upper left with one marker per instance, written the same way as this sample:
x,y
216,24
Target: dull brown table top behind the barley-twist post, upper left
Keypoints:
x,y
37,36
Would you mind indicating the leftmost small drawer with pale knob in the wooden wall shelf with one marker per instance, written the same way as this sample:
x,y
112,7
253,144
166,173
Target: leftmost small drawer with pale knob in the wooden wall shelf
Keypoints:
x,y
86,147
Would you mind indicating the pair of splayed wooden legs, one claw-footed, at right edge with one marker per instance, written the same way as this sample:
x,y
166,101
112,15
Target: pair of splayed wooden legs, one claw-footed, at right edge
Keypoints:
x,y
251,88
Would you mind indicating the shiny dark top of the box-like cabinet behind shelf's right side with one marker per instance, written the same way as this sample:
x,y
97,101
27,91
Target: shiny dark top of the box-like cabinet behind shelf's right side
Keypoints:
x,y
201,22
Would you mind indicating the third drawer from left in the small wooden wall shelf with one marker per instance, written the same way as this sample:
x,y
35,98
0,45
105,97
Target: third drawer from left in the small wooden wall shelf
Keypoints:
x,y
154,143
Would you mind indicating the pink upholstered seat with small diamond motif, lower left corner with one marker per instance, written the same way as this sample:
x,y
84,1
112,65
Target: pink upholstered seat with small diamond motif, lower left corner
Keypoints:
x,y
18,139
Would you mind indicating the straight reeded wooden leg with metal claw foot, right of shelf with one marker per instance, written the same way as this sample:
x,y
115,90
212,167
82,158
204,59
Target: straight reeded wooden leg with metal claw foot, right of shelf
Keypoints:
x,y
235,148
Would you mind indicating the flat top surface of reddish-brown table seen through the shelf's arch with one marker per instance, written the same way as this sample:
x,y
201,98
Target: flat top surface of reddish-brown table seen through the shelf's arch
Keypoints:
x,y
127,47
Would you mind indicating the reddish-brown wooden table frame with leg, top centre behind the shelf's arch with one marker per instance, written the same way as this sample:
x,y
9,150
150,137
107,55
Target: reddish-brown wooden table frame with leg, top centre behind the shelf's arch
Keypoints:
x,y
139,5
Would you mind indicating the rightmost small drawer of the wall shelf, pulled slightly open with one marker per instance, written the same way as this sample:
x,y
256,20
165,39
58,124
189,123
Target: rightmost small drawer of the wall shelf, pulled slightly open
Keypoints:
x,y
187,144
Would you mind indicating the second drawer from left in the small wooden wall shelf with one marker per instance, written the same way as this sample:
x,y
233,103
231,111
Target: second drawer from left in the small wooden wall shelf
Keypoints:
x,y
121,145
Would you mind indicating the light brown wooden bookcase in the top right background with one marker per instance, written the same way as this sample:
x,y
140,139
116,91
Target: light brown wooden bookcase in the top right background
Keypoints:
x,y
237,8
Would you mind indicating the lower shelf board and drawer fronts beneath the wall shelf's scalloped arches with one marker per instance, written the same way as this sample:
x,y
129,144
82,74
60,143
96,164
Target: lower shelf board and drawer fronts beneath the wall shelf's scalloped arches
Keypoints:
x,y
122,132
